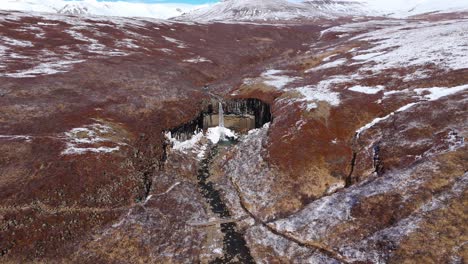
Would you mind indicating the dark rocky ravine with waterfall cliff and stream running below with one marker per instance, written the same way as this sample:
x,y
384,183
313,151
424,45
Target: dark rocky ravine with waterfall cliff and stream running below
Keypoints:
x,y
241,116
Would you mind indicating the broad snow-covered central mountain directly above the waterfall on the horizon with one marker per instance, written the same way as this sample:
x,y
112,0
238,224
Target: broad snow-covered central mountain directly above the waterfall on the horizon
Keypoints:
x,y
245,10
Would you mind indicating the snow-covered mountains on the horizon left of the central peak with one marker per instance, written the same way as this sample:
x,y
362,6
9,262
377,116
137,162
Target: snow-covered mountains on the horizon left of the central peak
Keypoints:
x,y
93,7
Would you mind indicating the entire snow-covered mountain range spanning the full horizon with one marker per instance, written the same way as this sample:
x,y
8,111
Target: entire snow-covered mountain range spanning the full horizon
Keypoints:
x,y
240,10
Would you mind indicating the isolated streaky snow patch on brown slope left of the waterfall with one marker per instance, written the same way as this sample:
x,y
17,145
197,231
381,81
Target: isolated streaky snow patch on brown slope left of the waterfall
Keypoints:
x,y
82,140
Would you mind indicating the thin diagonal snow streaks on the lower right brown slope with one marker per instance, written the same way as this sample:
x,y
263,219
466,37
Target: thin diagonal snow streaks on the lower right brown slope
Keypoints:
x,y
317,219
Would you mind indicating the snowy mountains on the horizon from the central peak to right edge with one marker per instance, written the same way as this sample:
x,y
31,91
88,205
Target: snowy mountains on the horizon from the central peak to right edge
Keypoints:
x,y
248,10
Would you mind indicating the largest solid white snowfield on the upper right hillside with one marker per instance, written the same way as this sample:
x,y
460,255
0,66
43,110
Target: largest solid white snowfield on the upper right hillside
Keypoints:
x,y
442,43
